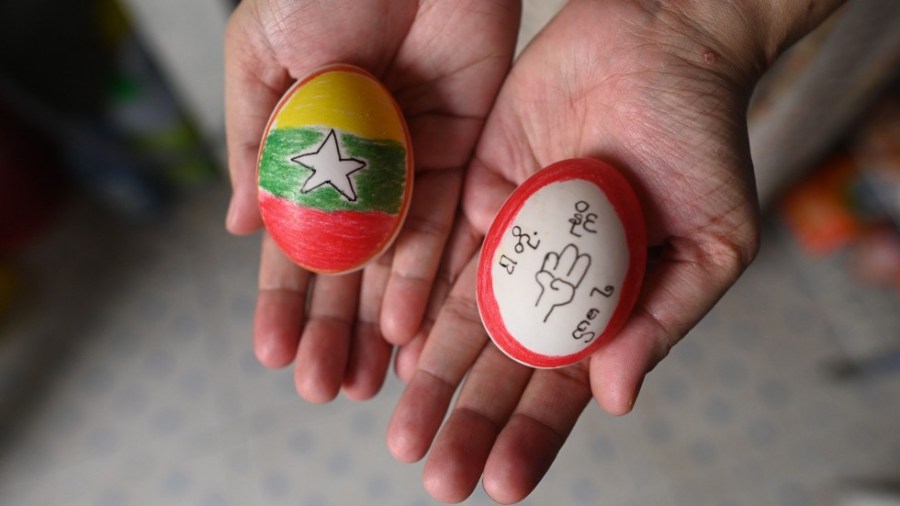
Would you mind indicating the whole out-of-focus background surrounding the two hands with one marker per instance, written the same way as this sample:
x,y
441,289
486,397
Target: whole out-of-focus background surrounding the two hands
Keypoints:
x,y
126,371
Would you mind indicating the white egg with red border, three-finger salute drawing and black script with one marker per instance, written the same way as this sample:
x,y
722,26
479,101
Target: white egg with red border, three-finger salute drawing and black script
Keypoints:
x,y
562,264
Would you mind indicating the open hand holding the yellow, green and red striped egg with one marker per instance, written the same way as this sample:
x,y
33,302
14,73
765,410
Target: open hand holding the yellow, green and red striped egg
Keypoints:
x,y
443,62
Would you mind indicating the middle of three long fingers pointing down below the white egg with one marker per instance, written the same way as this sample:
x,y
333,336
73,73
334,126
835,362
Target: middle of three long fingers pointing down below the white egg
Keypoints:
x,y
489,395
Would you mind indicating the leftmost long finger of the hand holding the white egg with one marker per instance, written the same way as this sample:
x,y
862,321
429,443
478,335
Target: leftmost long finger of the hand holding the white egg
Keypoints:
x,y
452,347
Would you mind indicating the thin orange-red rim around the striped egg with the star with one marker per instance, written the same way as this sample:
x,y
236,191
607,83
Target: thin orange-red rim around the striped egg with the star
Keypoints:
x,y
410,164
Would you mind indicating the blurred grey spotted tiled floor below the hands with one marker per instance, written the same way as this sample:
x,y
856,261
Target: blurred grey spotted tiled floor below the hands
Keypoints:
x,y
127,378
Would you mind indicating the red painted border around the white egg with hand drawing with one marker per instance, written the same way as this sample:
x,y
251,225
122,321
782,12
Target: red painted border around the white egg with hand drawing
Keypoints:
x,y
627,207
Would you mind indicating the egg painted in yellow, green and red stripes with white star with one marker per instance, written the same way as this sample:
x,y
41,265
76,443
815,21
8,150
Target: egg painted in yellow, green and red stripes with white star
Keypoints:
x,y
335,170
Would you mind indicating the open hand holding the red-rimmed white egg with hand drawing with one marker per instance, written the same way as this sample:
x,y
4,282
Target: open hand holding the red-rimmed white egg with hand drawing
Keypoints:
x,y
660,93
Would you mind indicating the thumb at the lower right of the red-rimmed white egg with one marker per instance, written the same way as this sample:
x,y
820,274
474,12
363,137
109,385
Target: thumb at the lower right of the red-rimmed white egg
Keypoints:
x,y
679,291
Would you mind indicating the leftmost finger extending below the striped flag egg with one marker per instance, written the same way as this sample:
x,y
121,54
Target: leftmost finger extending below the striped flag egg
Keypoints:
x,y
280,306
